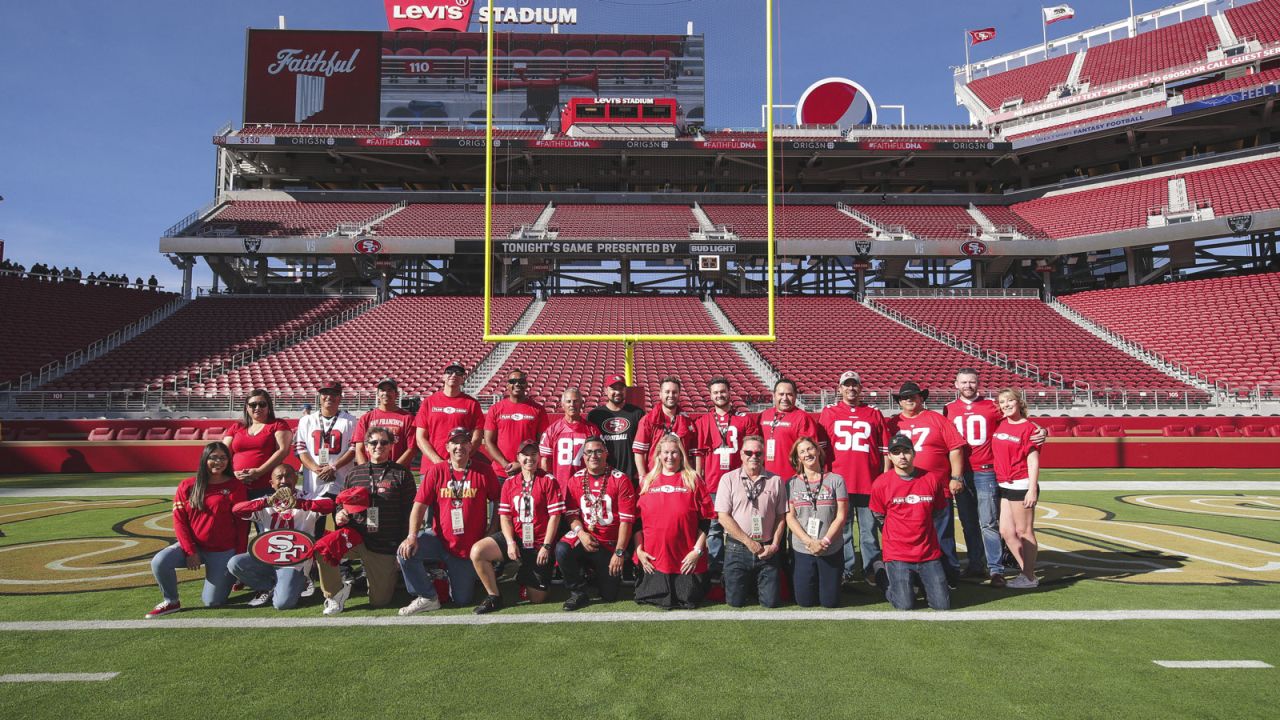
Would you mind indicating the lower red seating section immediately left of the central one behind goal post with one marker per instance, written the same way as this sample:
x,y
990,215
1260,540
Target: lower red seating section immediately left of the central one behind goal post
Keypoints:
x,y
410,339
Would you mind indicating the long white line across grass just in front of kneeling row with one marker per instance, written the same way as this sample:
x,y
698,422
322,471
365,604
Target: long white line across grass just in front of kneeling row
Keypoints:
x,y
674,617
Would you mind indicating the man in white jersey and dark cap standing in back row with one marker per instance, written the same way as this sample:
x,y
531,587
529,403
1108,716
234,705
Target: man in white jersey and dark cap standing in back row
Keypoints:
x,y
324,445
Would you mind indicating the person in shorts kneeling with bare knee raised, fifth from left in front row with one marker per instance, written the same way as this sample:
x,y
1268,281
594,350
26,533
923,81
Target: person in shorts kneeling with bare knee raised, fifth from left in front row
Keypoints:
x,y
529,514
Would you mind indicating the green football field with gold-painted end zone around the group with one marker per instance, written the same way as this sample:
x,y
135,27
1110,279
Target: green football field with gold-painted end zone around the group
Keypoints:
x,y
1130,578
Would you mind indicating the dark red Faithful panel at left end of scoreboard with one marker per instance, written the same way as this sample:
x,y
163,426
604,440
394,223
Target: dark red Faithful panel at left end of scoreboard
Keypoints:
x,y
308,78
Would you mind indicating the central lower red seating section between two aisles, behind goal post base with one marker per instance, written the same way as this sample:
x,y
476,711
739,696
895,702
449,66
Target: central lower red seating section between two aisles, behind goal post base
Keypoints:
x,y
554,367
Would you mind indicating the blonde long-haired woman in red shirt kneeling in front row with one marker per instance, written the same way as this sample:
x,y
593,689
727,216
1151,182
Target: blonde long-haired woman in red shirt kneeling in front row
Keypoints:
x,y
675,514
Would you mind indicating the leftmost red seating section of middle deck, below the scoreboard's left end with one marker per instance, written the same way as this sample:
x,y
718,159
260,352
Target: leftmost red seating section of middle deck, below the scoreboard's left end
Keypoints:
x,y
287,218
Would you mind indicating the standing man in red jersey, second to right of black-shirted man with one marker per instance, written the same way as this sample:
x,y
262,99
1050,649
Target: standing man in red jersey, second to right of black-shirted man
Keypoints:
x,y
720,436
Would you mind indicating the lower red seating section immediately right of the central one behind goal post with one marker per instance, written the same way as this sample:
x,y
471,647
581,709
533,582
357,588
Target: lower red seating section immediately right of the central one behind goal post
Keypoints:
x,y
822,338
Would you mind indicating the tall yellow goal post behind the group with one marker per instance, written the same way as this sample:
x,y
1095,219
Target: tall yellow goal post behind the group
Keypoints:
x,y
630,340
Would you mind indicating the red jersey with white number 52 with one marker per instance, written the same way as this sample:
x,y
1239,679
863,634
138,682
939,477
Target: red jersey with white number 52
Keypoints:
x,y
860,439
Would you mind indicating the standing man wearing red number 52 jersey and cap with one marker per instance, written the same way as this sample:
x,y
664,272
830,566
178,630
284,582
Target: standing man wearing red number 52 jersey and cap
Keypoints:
x,y
858,436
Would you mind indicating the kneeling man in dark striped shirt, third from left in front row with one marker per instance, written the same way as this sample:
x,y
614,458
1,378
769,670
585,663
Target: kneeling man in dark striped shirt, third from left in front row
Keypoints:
x,y
382,527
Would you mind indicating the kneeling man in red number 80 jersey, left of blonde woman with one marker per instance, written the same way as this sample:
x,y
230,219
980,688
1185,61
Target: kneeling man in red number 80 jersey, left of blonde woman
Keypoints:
x,y
601,509
